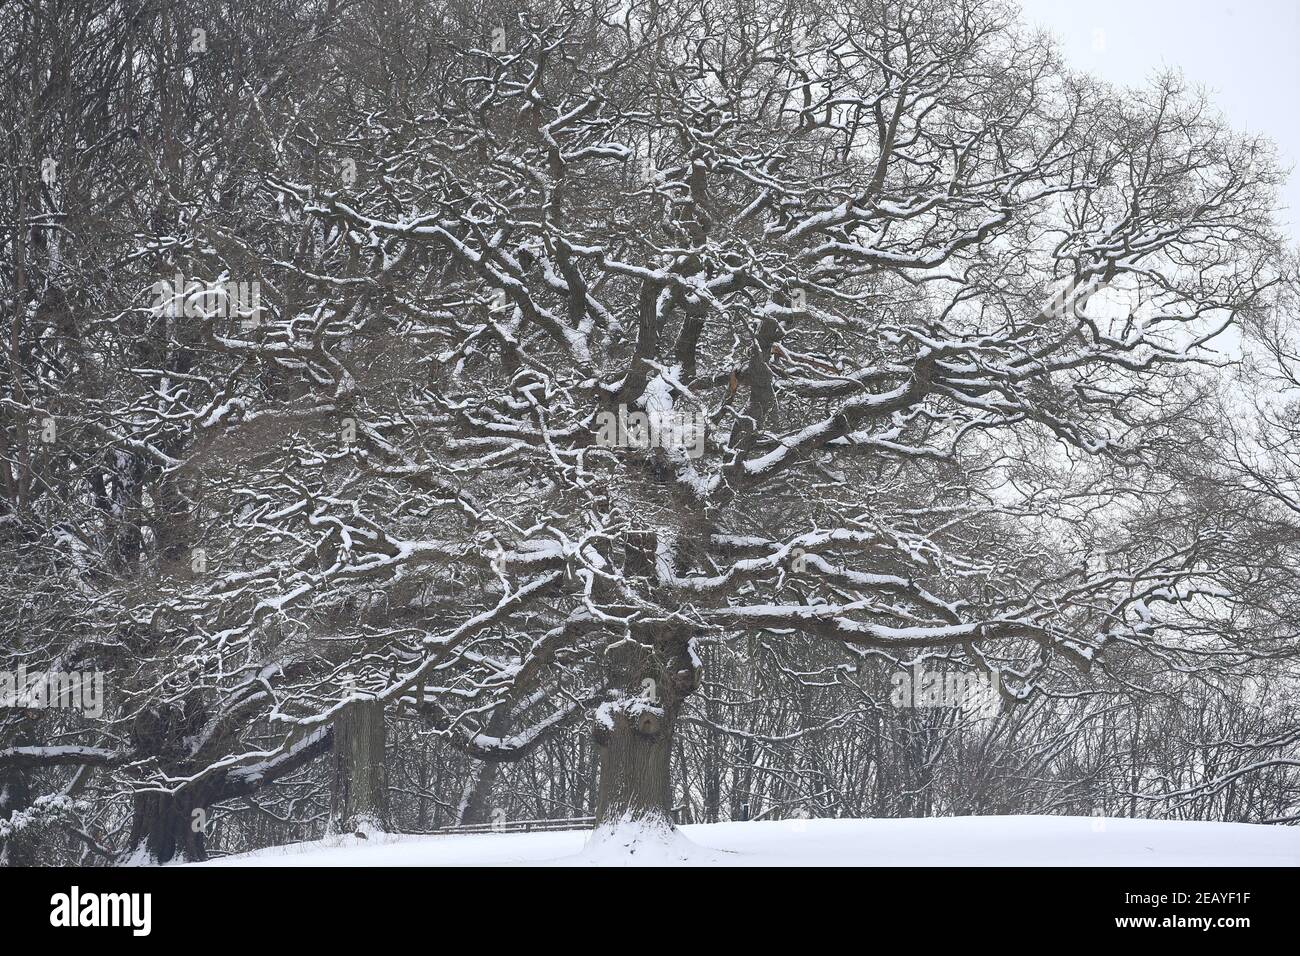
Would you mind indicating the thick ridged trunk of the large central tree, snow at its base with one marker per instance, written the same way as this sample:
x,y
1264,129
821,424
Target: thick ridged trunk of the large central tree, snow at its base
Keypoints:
x,y
634,733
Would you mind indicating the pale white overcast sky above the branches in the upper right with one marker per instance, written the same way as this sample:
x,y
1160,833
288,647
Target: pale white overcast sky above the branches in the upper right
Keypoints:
x,y
1246,54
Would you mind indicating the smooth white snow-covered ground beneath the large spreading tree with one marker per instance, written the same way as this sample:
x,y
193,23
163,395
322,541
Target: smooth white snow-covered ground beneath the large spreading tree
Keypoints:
x,y
937,842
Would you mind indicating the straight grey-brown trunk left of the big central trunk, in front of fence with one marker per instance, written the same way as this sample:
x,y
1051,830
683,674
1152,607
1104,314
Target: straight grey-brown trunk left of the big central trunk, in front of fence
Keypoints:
x,y
361,793
